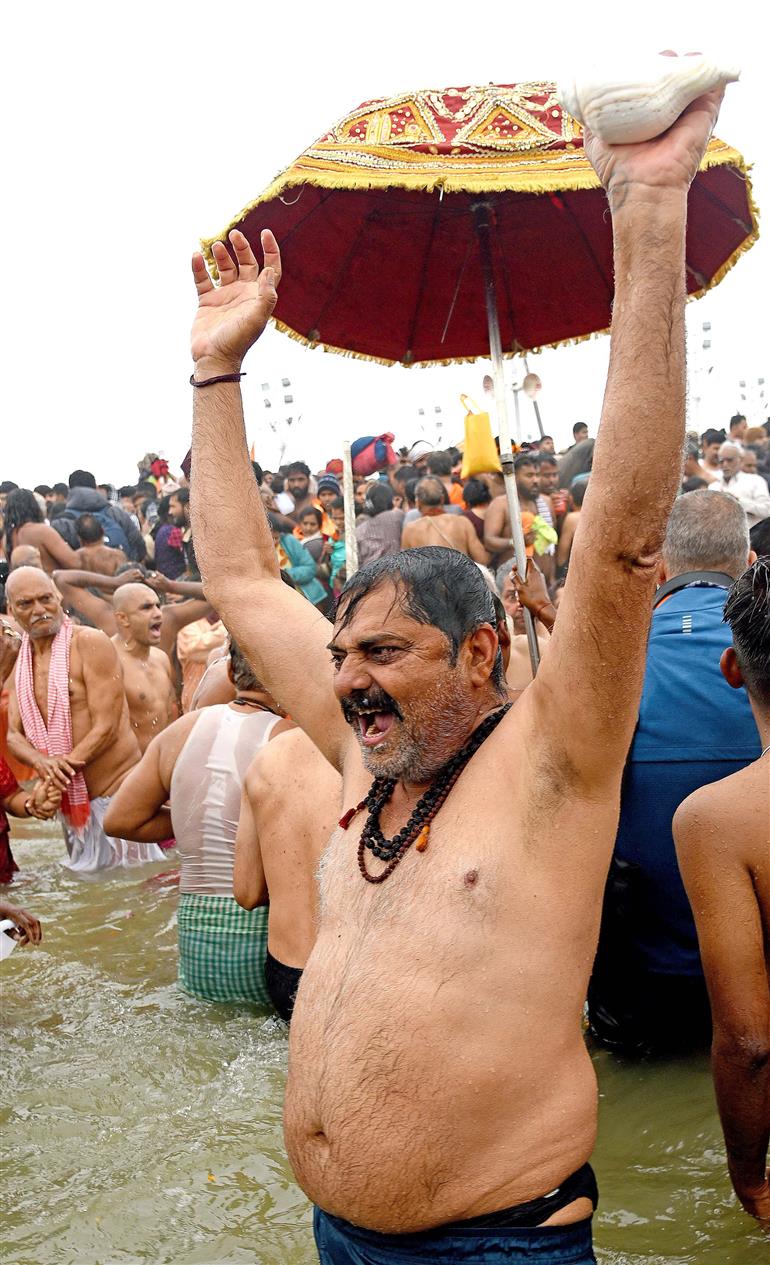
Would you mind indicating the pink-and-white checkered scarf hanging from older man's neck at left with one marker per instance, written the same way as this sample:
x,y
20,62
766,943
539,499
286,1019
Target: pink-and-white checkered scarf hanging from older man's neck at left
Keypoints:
x,y
55,739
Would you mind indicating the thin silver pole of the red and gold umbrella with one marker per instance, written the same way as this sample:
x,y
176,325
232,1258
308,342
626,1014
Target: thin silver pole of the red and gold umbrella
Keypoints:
x,y
481,213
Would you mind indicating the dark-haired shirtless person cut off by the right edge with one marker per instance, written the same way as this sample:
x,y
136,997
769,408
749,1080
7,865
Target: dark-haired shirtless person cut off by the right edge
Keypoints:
x,y
723,836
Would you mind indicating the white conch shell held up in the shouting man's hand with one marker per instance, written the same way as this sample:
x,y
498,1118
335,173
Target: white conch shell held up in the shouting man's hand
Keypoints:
x,y
642,99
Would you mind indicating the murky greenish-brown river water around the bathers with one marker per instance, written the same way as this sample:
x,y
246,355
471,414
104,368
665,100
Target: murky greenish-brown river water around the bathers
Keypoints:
x,y
144,1128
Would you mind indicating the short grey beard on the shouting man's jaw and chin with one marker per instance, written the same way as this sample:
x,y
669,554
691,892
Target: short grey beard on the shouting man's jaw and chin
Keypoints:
x,y
434,729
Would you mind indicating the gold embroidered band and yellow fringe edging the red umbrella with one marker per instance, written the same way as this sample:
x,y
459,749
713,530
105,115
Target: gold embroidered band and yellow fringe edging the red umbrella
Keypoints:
x,y
527,173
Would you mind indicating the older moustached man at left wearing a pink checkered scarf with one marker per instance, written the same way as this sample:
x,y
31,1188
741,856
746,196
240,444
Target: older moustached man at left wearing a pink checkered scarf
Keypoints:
x,y
69,720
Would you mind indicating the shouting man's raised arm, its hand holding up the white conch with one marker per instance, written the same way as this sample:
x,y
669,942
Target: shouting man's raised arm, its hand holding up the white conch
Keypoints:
x,y
590,684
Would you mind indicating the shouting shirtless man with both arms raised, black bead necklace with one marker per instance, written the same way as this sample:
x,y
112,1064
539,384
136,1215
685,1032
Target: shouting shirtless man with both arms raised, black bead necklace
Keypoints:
x,y
439,1082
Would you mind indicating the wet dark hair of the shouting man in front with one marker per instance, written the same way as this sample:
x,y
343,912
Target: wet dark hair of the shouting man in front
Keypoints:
x,y
436,586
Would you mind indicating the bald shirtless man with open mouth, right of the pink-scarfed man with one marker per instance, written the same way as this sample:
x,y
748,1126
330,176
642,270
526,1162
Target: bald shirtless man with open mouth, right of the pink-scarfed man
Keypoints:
x,y
147,672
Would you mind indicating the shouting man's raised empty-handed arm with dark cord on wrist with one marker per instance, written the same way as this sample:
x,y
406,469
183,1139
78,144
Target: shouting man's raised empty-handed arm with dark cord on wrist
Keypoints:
x,y
281,633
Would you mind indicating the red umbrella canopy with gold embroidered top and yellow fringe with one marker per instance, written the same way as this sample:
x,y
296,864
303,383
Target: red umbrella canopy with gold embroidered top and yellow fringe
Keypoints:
x,y
377,230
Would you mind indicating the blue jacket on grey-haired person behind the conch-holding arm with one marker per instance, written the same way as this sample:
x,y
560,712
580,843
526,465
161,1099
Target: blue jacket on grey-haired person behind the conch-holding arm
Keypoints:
x,y
694,729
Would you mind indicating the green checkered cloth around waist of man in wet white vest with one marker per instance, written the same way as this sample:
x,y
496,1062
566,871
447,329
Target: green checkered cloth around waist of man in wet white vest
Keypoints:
x,y
222,949
